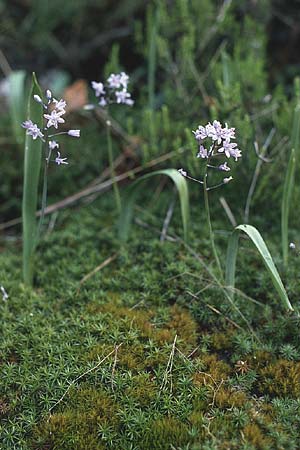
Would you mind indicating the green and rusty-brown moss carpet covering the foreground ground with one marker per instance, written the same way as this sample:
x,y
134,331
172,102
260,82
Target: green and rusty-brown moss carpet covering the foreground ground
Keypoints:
x,y
179,375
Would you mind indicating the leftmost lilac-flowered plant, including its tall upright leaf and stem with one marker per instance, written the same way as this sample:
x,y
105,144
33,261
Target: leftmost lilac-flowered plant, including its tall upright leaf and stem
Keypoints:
x,y
45,115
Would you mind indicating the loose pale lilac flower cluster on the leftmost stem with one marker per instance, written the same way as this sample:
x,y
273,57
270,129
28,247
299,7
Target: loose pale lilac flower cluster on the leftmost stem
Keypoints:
x,y
54,110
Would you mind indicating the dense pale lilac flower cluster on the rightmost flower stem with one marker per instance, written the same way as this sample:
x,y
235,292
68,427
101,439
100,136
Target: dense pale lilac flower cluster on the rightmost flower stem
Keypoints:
x,y
217,139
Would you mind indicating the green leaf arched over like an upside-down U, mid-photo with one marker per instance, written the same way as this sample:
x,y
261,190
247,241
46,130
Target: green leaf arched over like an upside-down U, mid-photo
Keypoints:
x,y
128,204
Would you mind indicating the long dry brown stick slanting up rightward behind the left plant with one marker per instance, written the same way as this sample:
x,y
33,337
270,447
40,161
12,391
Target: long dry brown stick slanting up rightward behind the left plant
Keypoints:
x,y
99,188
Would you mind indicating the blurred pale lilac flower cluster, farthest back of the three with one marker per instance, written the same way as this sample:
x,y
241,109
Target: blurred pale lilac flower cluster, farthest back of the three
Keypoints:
x,y
114,90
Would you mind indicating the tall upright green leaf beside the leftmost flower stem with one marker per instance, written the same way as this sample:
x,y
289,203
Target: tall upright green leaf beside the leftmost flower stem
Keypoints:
x,y
32,167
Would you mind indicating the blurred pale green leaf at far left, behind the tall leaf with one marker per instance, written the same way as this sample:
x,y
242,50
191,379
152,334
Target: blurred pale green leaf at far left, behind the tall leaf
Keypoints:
x,y
17,103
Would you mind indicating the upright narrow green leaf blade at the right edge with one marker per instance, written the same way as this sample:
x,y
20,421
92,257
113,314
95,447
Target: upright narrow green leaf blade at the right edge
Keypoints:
x,y
285,206
